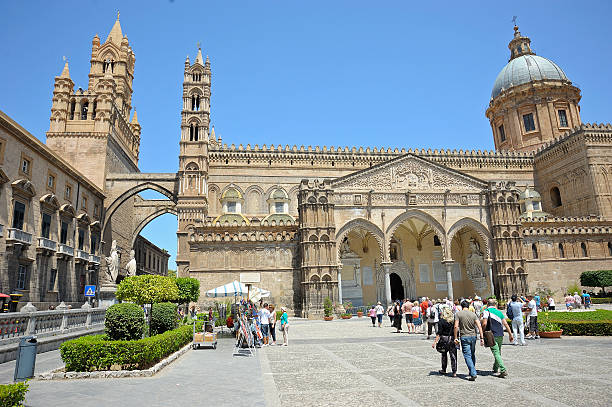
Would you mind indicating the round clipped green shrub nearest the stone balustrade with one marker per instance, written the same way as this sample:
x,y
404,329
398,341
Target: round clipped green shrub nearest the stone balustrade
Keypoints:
x,y
124,322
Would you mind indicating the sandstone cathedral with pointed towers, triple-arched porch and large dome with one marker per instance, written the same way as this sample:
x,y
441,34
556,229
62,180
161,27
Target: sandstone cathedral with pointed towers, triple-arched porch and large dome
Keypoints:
x,y
351,223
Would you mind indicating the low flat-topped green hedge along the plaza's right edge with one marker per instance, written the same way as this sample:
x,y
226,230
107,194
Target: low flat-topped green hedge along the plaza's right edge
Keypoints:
x,y
592,323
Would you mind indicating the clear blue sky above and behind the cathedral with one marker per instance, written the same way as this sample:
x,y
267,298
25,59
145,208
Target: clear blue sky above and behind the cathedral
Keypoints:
x,y
391,73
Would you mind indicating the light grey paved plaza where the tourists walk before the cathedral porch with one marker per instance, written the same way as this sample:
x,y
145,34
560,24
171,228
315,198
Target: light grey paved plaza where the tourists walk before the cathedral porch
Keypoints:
x,y
349,363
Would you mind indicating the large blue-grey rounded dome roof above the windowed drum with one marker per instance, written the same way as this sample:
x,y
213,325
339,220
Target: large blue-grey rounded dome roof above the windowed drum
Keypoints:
x,y
524,69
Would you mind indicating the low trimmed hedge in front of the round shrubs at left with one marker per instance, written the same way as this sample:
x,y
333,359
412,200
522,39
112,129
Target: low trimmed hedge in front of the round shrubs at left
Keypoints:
x,y
96,352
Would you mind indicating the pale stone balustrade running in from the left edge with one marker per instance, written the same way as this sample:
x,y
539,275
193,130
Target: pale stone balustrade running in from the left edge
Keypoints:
x,y
16,324
